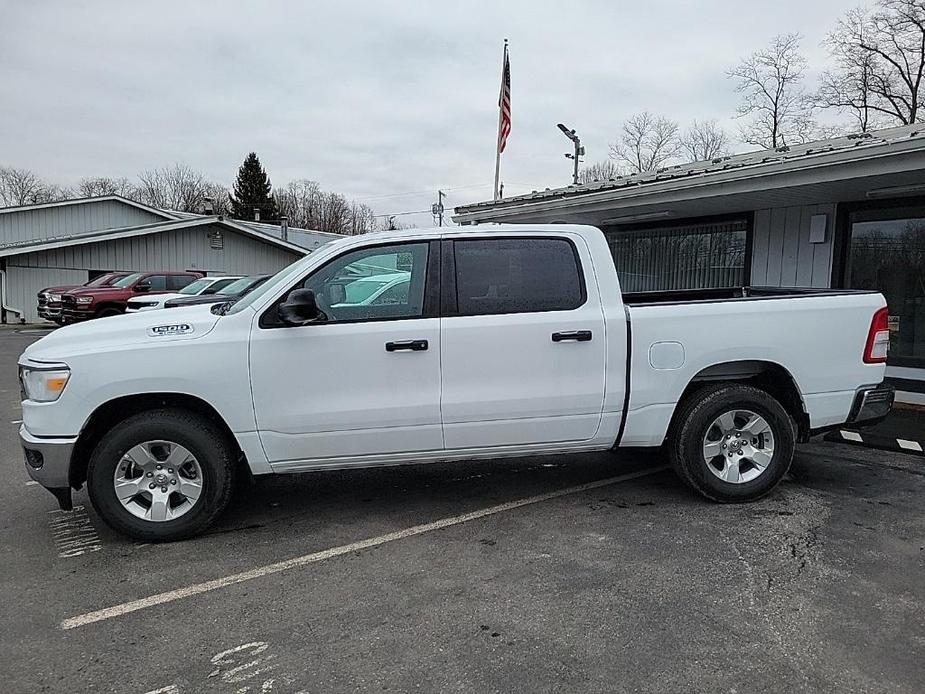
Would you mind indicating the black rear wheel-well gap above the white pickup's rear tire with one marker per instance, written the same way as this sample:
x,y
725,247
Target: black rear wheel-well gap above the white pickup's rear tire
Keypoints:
x,y
769,376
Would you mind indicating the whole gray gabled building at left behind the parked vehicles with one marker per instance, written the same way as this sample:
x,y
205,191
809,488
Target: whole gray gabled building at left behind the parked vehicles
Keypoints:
x,y
73,241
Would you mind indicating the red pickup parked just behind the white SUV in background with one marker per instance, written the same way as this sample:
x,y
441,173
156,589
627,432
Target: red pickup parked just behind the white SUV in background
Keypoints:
x,y
99,302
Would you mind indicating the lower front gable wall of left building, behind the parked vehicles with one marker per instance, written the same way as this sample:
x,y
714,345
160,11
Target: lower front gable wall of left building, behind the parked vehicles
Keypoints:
x,y
184,249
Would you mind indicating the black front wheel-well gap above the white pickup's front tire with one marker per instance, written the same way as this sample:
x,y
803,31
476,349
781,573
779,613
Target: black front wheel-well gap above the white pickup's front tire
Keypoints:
x,y
114,411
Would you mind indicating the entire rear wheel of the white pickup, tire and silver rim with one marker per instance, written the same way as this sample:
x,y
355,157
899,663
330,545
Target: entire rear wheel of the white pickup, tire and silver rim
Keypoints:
x,y
732,442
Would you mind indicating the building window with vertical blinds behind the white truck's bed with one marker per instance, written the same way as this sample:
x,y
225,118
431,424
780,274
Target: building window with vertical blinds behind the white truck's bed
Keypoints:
x,y
706,255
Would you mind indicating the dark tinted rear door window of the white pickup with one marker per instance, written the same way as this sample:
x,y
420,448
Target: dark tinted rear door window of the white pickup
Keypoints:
x,y
516,276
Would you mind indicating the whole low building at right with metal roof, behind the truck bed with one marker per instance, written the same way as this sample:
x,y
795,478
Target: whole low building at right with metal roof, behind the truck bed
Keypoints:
x,y
845,212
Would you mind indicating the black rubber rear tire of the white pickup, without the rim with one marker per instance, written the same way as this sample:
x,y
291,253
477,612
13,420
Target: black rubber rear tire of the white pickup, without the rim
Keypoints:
x,y
694,419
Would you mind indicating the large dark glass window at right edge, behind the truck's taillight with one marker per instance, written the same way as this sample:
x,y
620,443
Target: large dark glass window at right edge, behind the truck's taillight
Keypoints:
x,y
886,252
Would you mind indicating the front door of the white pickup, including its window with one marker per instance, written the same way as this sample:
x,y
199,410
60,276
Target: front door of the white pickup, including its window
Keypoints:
x,y
363,382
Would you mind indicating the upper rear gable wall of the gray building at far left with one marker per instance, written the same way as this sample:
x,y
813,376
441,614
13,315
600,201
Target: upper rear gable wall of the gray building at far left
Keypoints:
x,y
64,220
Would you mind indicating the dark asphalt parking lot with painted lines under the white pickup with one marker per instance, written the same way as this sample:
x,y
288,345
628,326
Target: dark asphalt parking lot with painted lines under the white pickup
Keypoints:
x,y
579,573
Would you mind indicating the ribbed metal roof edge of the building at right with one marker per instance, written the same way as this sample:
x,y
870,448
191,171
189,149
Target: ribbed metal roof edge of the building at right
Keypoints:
x,y
744,165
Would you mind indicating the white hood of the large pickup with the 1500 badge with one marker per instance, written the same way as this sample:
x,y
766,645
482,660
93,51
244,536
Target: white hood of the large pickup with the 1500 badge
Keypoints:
x,y
119,332
